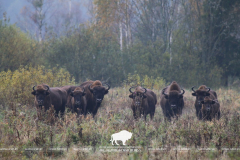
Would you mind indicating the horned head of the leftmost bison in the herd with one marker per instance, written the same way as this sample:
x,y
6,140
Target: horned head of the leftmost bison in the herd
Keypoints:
x,y
41,93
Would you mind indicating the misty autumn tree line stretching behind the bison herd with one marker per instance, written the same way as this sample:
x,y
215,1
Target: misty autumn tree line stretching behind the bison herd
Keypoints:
x,y
193,42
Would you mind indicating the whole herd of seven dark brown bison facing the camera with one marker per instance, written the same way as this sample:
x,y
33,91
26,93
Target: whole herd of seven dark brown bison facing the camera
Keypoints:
x,y
88,97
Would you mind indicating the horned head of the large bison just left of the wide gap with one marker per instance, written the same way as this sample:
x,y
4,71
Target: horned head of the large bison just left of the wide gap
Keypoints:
x,y
99,92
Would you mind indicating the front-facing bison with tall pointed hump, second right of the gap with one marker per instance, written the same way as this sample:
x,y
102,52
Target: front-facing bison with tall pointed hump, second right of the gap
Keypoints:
x,y
172,101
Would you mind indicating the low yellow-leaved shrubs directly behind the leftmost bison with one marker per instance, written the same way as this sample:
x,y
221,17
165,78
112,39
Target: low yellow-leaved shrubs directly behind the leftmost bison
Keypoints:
x,y
16,86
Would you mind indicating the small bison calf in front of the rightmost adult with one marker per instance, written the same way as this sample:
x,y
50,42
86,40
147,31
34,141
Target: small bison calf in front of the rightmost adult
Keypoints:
x,y
210,109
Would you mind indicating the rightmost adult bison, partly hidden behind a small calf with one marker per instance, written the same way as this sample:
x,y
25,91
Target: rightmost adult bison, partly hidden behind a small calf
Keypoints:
x,y
200,93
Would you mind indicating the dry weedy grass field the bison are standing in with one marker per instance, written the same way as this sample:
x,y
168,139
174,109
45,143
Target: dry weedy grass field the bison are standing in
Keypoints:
x,y
52,138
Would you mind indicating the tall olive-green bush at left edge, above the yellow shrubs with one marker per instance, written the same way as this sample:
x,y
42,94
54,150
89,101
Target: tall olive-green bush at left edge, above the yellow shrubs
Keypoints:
x,y
17,48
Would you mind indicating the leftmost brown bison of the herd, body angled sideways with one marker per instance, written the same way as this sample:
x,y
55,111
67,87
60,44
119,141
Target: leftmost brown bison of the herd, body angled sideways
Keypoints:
x,y
45,96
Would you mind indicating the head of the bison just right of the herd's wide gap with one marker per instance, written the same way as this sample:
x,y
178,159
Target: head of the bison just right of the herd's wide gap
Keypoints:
x,y
137,96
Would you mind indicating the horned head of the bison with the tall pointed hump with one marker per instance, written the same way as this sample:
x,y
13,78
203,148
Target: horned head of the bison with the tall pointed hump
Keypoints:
x,y
174,98
